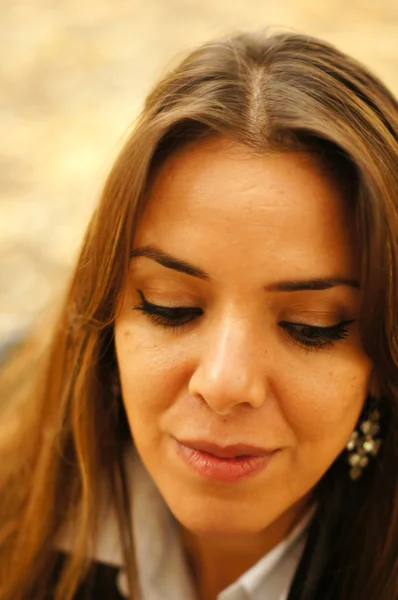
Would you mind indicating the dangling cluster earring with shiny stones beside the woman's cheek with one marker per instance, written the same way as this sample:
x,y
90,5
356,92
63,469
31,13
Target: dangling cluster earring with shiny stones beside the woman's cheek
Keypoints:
x,y
362,444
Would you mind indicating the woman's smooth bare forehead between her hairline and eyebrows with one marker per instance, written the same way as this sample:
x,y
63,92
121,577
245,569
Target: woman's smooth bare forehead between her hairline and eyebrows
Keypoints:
x,y
217,197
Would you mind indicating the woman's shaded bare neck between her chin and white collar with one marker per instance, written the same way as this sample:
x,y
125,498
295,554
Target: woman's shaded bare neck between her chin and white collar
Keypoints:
x,y
217,561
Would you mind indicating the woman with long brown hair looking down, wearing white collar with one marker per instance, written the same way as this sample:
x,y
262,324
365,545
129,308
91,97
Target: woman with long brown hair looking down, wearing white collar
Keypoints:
x,y
224,370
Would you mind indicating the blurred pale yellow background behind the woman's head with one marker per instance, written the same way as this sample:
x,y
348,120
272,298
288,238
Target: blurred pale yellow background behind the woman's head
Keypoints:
x,y
73,77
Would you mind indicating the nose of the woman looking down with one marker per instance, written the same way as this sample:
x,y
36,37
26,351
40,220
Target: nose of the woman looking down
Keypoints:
x,y
230,370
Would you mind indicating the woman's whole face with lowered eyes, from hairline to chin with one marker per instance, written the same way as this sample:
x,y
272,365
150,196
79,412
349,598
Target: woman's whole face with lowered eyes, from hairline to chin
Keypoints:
x,y
238,330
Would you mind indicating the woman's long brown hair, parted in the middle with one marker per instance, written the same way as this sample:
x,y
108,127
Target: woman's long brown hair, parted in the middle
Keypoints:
x,y
271,93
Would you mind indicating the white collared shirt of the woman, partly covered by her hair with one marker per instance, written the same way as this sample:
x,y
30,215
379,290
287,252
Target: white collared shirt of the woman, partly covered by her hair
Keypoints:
x,y
161,562
